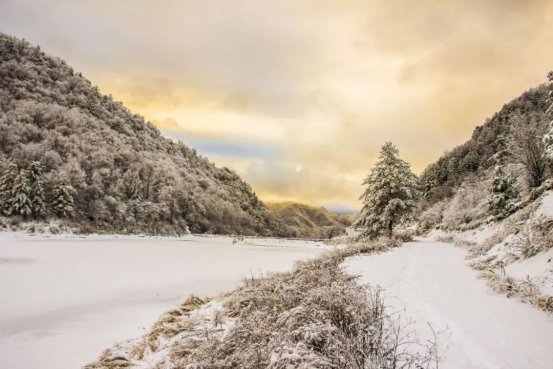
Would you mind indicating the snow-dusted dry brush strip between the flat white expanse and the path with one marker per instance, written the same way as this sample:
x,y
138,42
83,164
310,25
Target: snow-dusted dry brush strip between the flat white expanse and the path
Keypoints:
x,y
315,316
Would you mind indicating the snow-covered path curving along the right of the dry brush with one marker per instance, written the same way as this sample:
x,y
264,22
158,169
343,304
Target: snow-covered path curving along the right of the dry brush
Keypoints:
x,y
428,282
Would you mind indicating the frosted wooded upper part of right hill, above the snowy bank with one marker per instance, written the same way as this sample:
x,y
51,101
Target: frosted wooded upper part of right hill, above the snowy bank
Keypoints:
x,y
501,169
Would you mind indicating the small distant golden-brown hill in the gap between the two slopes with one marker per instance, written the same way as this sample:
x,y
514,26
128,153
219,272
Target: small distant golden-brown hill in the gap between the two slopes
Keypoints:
x,y
309,222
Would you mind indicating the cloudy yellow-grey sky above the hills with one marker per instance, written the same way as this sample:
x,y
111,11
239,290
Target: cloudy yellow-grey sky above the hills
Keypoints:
x,y
298,96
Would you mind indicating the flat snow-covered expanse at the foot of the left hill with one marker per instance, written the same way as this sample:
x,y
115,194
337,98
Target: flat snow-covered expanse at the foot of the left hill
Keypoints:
x,y
64,299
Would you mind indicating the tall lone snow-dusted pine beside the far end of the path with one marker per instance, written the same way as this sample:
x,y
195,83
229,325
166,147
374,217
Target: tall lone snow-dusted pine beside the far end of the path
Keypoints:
x,y
391,194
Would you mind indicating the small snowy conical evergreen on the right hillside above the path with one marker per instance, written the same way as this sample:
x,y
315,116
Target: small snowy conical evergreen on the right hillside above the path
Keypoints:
x,y
504,194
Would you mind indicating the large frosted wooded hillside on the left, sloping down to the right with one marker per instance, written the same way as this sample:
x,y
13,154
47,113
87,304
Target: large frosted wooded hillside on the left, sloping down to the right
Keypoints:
x,y
118,173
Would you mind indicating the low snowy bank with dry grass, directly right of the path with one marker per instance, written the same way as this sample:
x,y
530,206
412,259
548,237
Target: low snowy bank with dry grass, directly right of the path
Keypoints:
x,y
515,255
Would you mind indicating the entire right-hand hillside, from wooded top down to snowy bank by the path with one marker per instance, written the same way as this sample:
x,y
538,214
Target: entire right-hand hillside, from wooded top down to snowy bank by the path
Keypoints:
x,y
492,195
